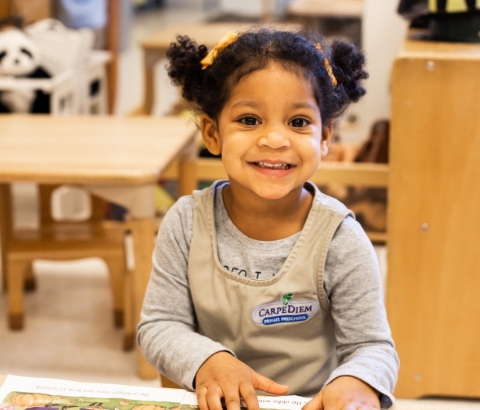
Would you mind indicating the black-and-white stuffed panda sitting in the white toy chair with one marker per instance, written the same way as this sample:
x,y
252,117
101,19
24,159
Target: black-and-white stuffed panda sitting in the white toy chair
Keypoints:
x,y
20,57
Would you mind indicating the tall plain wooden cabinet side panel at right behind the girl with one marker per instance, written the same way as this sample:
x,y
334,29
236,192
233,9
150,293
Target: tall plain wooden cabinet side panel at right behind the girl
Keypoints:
x,y
433,287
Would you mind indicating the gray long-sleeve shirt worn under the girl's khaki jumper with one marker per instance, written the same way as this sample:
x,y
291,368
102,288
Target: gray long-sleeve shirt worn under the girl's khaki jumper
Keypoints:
x,y
166,333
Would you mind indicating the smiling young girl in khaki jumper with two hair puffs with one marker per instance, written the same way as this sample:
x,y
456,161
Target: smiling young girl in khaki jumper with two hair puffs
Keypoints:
x,y
263,282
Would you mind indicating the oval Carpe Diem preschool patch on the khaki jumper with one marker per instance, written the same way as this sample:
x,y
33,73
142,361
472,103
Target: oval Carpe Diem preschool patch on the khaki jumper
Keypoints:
x,y
286,310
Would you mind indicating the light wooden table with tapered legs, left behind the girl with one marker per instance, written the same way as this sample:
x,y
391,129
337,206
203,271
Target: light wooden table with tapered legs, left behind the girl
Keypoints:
x,y
118,159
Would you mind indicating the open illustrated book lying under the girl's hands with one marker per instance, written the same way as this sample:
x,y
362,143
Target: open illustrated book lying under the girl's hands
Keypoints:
x,y
30,393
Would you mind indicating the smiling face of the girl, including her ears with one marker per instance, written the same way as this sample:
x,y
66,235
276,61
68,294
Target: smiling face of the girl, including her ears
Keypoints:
x,y
269,133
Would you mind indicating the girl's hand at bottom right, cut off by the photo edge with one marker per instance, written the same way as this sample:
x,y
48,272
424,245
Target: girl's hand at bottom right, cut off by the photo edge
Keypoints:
x,y
347,393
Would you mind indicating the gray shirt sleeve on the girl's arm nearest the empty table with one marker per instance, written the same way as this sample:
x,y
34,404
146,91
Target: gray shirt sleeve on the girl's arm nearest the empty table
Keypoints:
x,y
166,333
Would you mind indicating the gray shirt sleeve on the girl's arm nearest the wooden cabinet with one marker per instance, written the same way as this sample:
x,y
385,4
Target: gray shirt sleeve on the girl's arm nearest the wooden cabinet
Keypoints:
x,y
365,348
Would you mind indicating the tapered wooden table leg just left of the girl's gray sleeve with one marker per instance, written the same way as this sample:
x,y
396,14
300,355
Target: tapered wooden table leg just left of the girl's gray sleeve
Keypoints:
x,y
144,242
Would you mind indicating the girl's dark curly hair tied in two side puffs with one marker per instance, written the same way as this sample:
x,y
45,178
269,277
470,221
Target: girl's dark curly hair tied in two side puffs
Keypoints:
x,y
210,89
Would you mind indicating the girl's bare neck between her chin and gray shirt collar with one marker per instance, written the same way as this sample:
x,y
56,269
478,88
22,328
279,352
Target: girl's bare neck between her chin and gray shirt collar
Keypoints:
x,y
265,219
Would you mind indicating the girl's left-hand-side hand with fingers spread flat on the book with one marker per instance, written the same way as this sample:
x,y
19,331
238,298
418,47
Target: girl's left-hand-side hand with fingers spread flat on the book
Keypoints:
x,y
224,376
